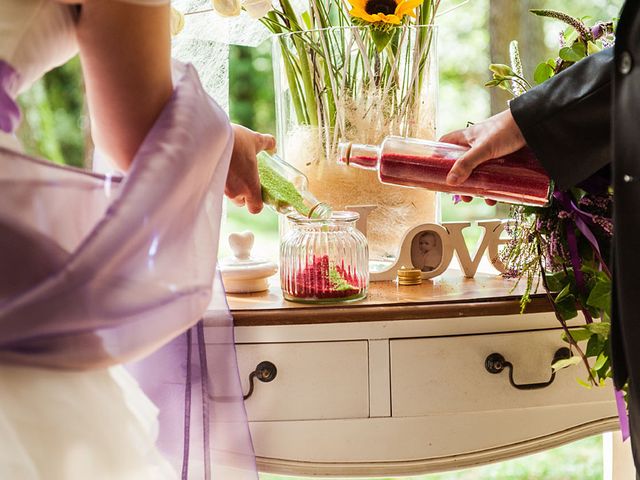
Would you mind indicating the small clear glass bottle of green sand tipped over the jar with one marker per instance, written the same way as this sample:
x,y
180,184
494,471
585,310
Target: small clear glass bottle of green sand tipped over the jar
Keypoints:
x,y
286,189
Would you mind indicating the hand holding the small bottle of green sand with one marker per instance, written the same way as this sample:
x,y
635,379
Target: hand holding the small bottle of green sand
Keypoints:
x,y
243,183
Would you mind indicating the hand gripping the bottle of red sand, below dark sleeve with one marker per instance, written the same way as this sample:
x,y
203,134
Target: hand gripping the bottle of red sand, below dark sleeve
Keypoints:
x,y
492,138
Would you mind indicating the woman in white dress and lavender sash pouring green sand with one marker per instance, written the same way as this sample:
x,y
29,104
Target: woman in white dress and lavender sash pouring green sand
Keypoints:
x,y
100,271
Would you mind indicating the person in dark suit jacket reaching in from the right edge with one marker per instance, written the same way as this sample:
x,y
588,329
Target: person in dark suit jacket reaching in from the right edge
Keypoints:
x,y
582,120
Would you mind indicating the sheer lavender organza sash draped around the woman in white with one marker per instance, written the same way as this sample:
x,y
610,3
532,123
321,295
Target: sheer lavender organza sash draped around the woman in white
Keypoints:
x,y
98,271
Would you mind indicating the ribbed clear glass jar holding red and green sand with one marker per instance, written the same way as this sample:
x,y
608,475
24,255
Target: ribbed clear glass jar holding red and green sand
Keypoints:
x,y
324,261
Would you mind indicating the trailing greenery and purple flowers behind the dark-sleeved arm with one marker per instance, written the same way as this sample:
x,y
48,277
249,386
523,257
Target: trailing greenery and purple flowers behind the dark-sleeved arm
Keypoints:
x,y
566,246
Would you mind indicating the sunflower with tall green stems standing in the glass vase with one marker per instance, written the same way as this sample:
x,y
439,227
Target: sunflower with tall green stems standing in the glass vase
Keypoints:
x,y
353,64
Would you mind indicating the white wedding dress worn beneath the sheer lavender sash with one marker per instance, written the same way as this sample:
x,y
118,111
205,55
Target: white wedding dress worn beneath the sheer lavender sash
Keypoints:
x,y
63,425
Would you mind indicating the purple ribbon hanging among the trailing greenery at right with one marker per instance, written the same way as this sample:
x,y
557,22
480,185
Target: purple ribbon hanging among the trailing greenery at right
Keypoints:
x,y
582,220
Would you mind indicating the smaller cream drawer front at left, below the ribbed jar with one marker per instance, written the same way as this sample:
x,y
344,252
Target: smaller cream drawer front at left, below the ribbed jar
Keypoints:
x,y
315,380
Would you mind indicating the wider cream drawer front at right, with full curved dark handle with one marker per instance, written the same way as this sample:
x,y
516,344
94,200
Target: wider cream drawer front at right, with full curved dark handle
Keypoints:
x,y
447,375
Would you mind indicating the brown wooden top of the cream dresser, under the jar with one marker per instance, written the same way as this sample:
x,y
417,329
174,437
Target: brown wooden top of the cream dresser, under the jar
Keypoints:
x,y
450,295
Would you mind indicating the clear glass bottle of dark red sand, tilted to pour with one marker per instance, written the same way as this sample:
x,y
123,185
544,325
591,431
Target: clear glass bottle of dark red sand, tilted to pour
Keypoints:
x,y
515,178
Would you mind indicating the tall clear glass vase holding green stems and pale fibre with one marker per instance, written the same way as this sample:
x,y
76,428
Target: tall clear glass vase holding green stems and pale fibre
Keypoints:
x,y
334,85
